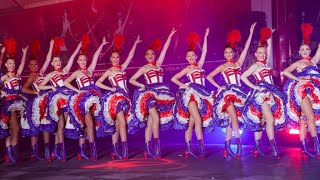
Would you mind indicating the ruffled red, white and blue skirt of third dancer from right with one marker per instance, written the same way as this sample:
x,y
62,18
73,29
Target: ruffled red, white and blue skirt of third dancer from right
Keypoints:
x,y
232,94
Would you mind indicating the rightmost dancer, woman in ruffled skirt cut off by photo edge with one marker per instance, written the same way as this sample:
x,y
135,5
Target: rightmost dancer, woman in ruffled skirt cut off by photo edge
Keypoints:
x,y
303,92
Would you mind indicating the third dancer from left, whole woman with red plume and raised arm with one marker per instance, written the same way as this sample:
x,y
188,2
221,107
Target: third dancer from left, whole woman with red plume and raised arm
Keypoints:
x,y
58,97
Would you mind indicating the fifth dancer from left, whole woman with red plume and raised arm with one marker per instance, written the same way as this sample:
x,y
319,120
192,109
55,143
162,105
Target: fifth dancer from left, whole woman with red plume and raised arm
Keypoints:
x,y
116,102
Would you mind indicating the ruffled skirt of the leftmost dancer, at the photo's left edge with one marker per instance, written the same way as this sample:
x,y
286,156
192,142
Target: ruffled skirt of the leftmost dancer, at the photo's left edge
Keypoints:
x,y
13,101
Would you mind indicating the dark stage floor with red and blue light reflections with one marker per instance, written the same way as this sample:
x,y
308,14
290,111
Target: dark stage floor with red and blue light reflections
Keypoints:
x,y
172,166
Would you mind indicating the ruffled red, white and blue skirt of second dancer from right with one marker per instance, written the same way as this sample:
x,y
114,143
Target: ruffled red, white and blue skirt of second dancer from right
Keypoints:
x,y
275,98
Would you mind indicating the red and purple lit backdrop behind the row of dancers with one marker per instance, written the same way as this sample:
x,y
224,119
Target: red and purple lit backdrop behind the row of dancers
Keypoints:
x,y
149,19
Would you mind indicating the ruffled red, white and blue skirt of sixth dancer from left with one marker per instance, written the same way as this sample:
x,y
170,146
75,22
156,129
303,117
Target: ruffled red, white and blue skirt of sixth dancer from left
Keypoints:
x,y
156,95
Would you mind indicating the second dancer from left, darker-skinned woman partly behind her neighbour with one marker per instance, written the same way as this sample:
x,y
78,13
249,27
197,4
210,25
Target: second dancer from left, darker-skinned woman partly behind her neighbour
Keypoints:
x,y
33,105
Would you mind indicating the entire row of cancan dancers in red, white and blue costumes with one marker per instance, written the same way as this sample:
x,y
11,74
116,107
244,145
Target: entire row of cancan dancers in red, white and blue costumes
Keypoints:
x,y
51,105
